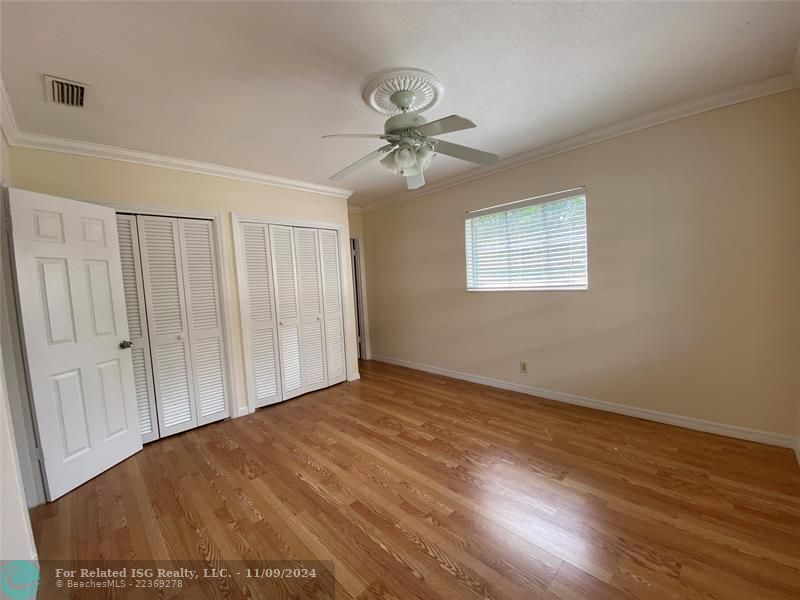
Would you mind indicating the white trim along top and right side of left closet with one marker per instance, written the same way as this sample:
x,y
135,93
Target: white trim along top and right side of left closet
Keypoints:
x,y
216,216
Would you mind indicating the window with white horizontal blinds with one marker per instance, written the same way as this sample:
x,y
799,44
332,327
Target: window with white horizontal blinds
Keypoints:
x,y
534,244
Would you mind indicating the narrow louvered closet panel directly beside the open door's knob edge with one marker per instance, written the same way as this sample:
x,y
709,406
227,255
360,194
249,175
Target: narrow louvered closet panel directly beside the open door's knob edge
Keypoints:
x,y
137,326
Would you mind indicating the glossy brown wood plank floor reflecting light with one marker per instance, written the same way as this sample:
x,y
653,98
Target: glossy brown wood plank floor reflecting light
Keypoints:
x,y
419,486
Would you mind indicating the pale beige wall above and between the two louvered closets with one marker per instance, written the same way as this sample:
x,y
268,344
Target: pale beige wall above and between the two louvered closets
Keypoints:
x,y
98,180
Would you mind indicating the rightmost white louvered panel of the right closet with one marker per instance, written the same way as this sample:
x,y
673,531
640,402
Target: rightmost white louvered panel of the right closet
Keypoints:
x,y
332,294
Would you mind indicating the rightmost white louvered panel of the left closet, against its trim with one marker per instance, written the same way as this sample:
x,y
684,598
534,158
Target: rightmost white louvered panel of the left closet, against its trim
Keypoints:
x,y
204,317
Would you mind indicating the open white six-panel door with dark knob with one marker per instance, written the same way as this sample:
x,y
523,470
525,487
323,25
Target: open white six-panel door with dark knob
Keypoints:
x,y
72,307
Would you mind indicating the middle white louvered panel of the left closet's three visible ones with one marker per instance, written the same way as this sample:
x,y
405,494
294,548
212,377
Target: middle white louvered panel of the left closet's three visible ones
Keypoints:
x,y
166,310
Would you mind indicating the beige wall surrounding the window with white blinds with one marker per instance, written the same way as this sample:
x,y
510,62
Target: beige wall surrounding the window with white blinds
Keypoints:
x,y
693,273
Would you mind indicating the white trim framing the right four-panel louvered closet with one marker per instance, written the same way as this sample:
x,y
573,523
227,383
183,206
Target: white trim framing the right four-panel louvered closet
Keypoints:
x,y
237,219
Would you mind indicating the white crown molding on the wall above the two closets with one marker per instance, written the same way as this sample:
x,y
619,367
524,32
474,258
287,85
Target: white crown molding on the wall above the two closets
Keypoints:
x,y
17,137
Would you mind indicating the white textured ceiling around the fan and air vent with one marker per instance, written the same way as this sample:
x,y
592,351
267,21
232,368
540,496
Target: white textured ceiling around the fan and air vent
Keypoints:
x,y
254,85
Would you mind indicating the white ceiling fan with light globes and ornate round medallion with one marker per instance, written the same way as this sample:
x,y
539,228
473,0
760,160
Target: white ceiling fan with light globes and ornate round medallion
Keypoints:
x,y
411,141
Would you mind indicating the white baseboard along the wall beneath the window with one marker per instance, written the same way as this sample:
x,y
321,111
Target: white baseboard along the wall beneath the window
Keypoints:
x,y
743,433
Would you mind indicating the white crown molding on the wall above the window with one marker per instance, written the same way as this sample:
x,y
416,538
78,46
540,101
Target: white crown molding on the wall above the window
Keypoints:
x,y
766,87
